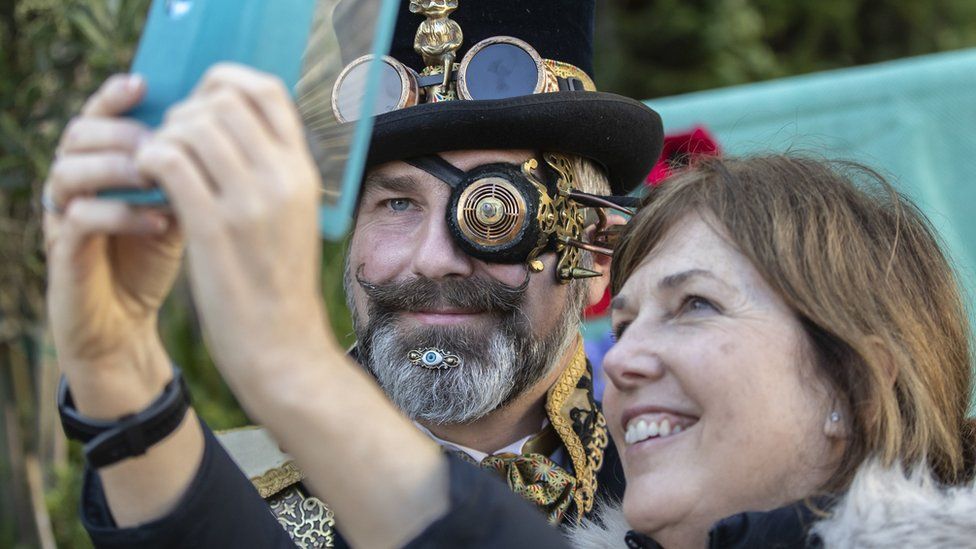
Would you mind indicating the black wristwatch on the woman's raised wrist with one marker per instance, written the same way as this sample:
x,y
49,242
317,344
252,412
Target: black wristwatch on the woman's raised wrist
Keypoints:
x,y
108,442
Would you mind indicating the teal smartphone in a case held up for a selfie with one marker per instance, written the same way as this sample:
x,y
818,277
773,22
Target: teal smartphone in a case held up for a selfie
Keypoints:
x,y
182,39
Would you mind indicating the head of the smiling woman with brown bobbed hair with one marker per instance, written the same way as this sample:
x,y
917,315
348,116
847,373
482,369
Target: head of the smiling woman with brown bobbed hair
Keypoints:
x,y
782,322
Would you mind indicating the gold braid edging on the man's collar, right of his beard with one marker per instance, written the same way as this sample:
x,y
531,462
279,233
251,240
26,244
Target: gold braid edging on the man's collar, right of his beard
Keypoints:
x,y
559,405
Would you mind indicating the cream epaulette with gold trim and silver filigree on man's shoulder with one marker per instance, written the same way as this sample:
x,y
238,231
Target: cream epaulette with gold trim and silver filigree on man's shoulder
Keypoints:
x,y
308,520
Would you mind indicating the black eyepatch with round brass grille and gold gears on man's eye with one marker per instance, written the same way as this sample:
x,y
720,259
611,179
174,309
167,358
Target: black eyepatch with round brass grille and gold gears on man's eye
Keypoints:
x,y
503,213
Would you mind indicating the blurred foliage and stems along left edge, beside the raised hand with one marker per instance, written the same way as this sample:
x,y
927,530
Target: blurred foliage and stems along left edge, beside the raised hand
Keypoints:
x,y
54,53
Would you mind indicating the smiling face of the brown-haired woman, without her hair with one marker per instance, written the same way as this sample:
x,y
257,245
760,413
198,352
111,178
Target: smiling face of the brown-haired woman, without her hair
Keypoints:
x,y
712,389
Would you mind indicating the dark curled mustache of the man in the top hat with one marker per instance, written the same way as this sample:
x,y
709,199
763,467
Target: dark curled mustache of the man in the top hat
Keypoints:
x,y
421,294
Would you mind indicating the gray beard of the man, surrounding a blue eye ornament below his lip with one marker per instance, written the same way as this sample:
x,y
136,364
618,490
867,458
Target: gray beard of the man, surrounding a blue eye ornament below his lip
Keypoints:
x,y
497,366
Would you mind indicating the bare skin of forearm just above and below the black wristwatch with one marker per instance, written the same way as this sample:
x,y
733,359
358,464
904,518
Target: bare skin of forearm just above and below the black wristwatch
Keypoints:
x,y
147,487
